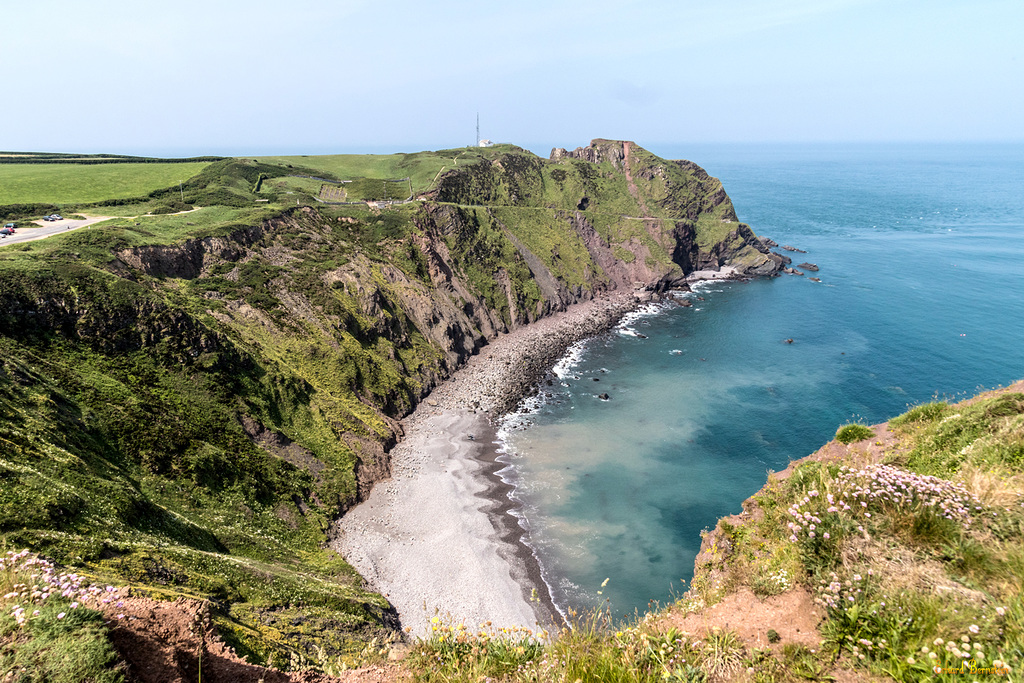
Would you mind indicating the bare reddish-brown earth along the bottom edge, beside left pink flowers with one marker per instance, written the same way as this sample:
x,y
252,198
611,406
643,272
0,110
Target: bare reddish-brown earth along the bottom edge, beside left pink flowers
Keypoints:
x,y
162,643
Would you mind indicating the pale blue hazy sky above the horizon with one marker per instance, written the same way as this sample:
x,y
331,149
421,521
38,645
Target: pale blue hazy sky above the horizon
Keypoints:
x,y
239,77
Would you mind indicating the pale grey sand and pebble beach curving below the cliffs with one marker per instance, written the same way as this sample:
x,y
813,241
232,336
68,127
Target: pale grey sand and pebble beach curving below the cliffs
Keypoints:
x,y
437,538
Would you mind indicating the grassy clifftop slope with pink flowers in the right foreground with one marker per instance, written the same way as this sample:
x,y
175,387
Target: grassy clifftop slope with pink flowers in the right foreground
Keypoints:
x,y
926,570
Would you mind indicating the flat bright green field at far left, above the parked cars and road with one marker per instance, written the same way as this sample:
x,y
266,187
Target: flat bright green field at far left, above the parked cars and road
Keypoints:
x,y
77,184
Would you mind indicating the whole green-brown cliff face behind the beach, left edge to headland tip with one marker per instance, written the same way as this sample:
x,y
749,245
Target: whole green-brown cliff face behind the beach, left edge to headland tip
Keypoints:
x,y
211,404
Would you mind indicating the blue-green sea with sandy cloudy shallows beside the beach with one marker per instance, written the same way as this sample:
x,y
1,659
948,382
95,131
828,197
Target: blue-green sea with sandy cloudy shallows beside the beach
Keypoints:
x,y
921,257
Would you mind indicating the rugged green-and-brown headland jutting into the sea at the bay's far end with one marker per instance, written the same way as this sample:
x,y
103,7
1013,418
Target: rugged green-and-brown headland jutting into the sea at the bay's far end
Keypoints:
x,y
641,218
